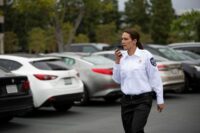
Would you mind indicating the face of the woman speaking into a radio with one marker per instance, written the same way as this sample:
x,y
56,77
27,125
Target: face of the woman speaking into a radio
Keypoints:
x,y
127,41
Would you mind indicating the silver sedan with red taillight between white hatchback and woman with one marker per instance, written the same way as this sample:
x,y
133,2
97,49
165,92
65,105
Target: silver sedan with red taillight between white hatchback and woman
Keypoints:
x,y
96,74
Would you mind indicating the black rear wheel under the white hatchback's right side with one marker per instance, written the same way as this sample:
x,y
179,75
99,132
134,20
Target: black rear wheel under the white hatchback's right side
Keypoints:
x,y
62,107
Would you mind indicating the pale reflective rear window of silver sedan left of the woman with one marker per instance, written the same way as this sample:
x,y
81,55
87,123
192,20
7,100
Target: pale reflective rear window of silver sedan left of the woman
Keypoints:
x,y
97,60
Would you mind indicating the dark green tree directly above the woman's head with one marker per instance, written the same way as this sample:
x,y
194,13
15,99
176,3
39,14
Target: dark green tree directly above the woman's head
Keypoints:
x,y
137,13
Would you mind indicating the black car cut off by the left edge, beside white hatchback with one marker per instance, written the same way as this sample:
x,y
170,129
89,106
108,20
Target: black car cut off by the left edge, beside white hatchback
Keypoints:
x,y
15,95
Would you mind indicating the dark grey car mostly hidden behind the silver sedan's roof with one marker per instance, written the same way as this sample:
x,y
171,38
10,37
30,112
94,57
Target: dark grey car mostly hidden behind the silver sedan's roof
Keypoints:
x,y
85,47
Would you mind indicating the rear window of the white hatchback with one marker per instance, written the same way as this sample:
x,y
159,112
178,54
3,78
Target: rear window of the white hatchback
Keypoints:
x,y
52,64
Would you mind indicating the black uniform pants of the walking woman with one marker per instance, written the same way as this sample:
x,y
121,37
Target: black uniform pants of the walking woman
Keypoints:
x,y
135,111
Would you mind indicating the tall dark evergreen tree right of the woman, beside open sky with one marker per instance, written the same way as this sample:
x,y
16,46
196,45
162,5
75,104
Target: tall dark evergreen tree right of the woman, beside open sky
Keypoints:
x,y
161,19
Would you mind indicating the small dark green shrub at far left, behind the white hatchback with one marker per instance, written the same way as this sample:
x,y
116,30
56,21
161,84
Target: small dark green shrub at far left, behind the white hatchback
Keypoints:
x,y
10,42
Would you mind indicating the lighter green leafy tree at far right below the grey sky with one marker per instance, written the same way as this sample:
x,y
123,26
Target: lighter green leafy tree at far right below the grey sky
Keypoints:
x,y
186,27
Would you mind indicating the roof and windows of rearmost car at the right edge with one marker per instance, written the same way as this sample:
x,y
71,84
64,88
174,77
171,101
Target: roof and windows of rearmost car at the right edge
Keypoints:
x,y
189,46
